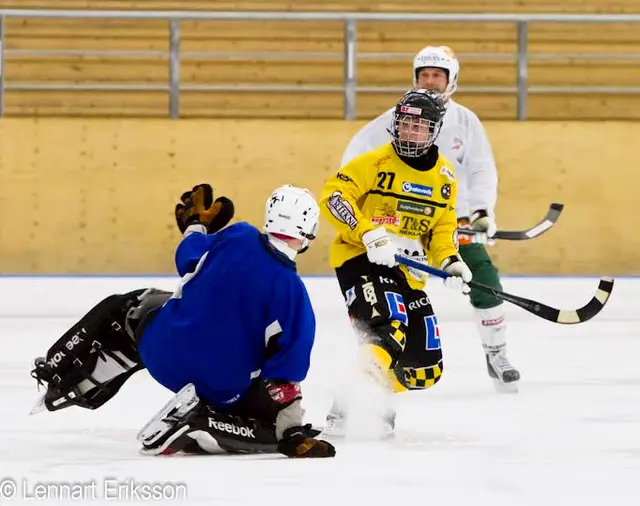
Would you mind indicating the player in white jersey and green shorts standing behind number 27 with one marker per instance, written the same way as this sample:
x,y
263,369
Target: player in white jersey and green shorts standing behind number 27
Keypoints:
x,y
464,143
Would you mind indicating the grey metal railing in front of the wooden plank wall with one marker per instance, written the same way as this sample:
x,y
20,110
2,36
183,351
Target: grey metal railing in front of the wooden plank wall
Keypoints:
x,y
349,88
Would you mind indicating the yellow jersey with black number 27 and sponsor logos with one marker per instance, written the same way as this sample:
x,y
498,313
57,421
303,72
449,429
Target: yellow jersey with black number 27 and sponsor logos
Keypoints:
x,y
378,189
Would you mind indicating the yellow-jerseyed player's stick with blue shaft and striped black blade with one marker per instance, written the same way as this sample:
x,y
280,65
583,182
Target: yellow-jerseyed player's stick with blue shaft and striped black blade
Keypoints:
x,y
563,316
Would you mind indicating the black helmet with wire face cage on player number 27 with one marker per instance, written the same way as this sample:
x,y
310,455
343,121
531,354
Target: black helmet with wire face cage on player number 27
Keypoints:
x,y
416,122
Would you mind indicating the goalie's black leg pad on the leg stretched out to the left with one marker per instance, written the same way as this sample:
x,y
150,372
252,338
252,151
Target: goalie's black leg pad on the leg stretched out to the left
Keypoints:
x,y
87,366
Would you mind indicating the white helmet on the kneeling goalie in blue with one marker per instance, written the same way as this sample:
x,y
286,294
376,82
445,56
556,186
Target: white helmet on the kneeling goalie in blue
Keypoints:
x,y
292,212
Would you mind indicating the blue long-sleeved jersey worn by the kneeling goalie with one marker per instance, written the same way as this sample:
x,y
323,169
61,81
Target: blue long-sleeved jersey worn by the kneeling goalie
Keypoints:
x,y
240,312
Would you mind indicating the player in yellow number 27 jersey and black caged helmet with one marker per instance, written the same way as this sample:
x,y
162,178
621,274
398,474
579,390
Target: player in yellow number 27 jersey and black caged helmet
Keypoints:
x,y
398,198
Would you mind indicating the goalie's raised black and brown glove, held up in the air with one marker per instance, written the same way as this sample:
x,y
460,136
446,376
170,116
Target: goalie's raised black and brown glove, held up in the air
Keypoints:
x,y
197,206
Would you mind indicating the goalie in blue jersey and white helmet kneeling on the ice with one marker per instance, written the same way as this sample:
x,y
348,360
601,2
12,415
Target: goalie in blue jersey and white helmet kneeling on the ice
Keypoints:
x,y
233,341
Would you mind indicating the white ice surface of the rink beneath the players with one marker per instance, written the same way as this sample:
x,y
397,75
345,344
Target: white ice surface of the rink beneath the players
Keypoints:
x,y
570,436
